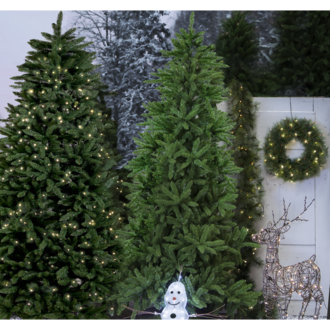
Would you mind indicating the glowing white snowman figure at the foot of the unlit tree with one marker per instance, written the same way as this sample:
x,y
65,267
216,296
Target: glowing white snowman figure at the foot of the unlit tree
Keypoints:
x,y
175,303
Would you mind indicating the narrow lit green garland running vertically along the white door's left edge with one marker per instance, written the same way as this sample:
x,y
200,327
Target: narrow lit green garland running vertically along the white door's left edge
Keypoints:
x,y
249,203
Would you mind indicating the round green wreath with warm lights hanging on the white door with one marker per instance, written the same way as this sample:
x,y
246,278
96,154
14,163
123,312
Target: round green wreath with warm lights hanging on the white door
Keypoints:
x,y
309,163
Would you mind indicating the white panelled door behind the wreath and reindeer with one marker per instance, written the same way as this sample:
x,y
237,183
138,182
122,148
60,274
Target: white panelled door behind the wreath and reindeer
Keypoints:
x,y
304,238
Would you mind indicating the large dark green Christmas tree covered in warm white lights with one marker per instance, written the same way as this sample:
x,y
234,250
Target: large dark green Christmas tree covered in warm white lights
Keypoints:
x,y
58,251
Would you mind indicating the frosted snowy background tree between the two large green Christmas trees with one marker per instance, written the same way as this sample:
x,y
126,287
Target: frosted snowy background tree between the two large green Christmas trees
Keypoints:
x,y
128,53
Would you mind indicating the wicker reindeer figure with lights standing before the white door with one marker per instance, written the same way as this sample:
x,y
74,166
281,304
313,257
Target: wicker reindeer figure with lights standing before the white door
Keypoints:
x,y
279,282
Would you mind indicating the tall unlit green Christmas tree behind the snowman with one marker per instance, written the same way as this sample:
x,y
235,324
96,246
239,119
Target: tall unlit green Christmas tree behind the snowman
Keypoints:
x,y
182,196
